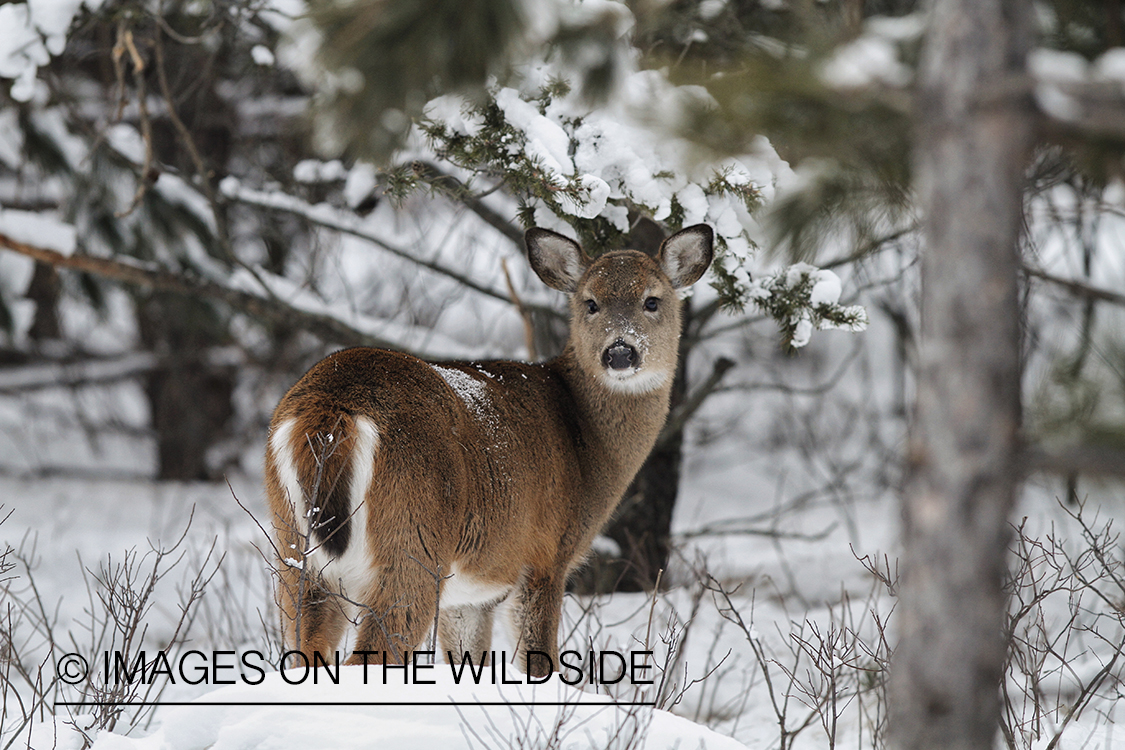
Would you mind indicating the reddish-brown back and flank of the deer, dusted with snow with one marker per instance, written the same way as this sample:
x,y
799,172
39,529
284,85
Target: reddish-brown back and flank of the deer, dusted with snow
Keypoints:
x,y
479,457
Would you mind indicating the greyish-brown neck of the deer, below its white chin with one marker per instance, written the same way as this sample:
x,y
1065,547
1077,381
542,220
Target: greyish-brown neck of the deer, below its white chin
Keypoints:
x,y
619,429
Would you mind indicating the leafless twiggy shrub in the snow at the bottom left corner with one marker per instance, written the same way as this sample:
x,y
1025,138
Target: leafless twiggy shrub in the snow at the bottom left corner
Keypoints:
x,y
47,670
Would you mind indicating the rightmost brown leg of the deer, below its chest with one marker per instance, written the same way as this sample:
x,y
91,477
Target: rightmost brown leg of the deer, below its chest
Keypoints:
x,y
536,612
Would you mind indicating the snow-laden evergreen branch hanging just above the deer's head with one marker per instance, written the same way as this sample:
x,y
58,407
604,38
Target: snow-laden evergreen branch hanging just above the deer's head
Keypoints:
x,y
593,170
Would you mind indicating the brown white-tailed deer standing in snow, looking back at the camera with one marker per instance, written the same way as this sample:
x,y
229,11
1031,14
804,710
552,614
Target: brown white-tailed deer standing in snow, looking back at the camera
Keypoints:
x,y
409,495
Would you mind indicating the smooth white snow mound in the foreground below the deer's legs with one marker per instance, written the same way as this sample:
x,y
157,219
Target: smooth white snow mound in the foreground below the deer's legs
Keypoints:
x,y
300,716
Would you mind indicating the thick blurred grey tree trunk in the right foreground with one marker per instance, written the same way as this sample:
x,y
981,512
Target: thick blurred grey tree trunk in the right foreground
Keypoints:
x,y
974,137
